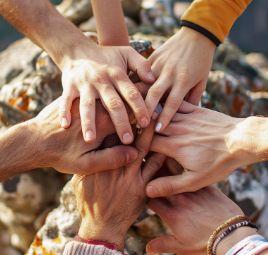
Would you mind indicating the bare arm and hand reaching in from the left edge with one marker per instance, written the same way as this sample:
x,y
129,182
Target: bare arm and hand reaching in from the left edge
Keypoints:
x,y
41,142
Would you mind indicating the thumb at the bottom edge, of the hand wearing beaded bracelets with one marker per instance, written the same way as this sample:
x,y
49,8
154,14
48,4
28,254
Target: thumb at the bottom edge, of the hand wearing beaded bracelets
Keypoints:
x,y
163,244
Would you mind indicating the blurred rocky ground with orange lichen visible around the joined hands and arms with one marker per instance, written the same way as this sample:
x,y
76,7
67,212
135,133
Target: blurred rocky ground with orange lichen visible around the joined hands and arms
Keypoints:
x,y
37,209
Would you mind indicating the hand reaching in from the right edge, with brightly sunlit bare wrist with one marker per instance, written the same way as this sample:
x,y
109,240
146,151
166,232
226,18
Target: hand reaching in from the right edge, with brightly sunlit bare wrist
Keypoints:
x,y
209,145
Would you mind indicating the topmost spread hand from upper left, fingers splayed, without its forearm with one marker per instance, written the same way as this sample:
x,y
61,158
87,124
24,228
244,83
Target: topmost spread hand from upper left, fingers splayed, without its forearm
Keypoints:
x,y
101,72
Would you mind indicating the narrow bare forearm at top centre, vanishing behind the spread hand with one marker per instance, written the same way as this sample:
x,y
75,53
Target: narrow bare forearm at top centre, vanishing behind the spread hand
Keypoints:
x,y
110,21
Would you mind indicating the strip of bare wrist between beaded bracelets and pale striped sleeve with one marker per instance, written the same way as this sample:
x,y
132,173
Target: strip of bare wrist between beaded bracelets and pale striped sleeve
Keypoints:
x,y
234,238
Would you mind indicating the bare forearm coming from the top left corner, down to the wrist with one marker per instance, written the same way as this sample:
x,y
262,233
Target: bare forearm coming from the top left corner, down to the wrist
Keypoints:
x,y
40,21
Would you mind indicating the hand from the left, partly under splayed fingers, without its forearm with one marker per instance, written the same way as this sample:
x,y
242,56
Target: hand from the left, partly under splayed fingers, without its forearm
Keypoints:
x,y
66,151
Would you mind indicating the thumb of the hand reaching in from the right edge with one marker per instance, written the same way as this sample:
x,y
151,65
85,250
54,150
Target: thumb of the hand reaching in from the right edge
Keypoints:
x,y
172,185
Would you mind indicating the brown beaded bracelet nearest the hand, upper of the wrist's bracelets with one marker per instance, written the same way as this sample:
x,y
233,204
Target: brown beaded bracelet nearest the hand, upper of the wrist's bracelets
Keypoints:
x,y
226,224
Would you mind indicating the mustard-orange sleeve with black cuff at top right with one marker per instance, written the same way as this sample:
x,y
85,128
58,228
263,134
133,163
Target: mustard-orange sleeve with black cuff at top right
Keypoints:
x,y
215,16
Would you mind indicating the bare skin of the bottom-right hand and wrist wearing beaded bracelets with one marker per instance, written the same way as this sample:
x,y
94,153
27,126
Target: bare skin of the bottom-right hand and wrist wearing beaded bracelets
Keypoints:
x,y
192,218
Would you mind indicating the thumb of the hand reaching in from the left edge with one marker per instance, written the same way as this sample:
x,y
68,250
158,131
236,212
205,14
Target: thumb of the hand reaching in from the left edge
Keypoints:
x,y
109,159
